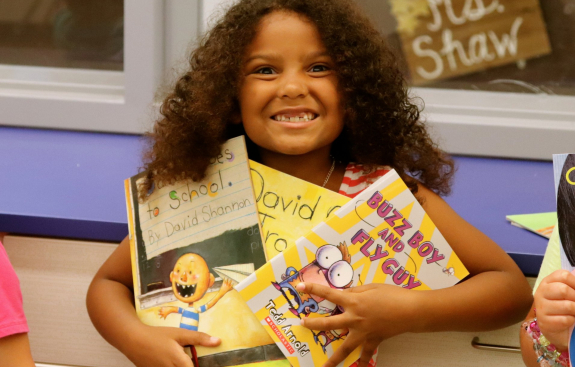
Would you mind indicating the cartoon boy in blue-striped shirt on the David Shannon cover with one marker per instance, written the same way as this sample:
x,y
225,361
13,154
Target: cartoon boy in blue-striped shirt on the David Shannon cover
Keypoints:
x,y
191,278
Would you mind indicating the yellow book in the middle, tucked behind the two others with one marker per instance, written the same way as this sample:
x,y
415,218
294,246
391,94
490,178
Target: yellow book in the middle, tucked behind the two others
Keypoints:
x,y
289,207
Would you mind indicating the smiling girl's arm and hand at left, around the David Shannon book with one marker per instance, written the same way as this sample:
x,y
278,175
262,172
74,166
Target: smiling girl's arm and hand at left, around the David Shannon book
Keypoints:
x,y
110,303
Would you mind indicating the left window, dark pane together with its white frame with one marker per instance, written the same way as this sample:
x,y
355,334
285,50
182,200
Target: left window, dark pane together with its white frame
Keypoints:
x,y
89,64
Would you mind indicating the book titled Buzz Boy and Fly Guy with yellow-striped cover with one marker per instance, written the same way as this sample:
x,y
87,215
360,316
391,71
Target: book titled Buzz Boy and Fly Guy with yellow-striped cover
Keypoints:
x,y
383,235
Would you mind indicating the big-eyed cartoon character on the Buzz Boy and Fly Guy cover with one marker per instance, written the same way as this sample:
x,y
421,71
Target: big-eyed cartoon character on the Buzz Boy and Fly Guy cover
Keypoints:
x,y
330,268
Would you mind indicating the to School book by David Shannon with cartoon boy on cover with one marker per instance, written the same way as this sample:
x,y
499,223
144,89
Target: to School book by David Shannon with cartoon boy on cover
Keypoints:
x,y
191,243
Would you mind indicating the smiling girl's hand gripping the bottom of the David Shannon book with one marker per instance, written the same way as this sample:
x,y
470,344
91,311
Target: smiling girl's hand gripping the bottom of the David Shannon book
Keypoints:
x,y
163,346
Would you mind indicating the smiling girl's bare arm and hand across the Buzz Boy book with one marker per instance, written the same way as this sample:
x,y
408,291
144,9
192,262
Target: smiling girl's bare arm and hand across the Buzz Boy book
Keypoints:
x,y
496,294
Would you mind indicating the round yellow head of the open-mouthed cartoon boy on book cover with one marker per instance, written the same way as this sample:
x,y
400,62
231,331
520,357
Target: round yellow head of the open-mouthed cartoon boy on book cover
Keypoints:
x,y
191,278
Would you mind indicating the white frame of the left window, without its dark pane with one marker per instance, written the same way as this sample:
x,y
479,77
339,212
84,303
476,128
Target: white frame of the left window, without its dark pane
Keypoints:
x,y
78,99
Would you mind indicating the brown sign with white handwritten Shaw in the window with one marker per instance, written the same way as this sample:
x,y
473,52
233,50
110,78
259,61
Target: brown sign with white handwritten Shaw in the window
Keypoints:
x,y
446,38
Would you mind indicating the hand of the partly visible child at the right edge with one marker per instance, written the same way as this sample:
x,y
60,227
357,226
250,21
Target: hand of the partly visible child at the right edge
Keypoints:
x,y
554,302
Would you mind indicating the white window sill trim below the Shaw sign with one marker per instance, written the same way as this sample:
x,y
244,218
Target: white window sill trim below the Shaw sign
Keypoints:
x,y
500,124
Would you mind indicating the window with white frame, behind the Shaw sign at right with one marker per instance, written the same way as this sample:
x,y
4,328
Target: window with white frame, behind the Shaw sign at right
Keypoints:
x,y
496,76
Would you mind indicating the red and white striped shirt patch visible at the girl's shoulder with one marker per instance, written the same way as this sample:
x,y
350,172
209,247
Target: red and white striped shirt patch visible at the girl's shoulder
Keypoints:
x,y
358,177
